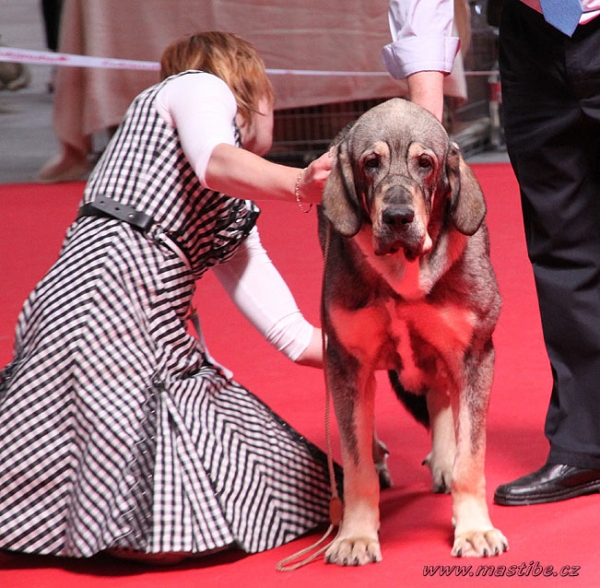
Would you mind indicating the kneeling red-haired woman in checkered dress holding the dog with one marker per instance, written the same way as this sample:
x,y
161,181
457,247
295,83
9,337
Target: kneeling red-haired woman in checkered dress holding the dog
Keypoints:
x,y
117,430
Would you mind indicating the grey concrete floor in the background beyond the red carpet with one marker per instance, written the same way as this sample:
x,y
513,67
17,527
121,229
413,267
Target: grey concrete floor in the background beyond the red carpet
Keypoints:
x,y
27,140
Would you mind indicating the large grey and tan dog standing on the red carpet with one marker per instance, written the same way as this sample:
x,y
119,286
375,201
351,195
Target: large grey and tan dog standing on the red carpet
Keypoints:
x,y
408,287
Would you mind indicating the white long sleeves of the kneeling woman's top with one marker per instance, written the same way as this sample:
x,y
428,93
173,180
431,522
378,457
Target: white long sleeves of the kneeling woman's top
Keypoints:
x,y
202,108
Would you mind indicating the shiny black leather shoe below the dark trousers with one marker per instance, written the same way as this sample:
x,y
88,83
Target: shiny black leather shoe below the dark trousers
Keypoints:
x,y
550,483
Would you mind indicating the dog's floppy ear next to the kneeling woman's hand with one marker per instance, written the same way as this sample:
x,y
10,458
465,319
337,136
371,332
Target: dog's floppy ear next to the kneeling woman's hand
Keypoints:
x,y
340,203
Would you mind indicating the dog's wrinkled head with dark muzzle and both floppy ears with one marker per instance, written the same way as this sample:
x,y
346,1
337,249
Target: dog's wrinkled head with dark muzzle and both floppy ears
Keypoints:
x,y
392,168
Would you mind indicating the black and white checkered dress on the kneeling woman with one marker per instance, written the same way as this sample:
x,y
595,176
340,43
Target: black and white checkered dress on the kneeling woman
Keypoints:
x,y
116,430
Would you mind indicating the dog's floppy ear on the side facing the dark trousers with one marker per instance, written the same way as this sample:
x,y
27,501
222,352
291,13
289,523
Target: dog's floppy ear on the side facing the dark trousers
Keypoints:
x,y
467,204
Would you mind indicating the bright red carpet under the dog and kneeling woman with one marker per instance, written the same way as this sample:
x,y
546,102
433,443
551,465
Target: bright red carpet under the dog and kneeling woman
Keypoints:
x,y
547,543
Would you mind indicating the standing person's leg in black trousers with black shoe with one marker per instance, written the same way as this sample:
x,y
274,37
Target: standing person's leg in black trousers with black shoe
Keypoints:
x,y
551,95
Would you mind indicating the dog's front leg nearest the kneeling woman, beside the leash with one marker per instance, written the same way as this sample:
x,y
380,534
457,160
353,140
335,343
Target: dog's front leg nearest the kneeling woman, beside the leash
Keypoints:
x,y
357,542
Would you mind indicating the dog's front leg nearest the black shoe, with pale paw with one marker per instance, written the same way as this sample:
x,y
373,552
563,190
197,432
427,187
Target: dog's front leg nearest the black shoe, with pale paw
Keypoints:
x,y
474,533
